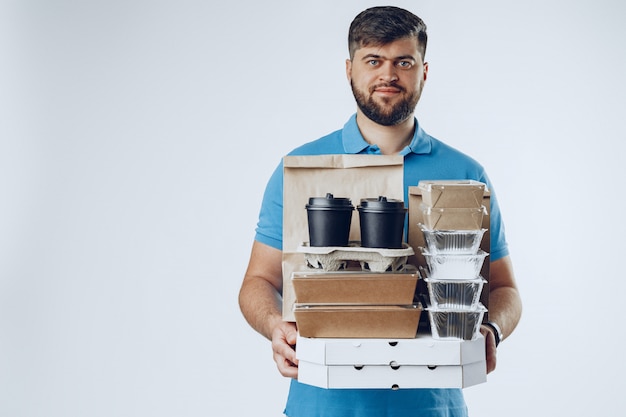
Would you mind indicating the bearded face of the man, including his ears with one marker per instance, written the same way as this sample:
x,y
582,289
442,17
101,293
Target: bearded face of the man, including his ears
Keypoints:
x,y
387,80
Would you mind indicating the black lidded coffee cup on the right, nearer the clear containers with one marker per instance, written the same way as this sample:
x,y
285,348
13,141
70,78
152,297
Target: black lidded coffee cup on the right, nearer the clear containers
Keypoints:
x,y
381,222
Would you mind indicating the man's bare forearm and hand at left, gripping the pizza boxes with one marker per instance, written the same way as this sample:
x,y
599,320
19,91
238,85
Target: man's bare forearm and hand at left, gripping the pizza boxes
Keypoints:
x,y
260,301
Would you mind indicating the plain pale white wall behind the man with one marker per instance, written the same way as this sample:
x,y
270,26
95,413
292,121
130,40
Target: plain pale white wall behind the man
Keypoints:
x,y
125,229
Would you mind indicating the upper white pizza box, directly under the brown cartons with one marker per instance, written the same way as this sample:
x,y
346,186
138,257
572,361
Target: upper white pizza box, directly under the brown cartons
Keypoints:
x,y
422,350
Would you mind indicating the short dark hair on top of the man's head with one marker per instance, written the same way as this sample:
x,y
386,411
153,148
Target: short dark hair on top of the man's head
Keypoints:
x,y
385,24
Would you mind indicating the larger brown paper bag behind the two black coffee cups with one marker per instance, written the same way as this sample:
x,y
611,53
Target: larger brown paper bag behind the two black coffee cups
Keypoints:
x,y
346,176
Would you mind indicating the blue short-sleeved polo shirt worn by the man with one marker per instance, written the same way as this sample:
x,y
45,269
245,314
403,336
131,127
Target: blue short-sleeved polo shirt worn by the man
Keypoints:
x,y
425,158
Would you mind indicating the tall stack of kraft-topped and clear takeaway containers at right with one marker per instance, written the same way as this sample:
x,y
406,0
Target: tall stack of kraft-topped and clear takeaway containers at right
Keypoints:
x,y
453,216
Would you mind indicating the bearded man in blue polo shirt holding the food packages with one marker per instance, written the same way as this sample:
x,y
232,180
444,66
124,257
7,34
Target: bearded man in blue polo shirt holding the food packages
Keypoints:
x,y
387,72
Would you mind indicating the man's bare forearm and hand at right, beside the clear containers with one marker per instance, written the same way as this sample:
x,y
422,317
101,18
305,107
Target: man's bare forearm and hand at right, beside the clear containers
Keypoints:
x,y
505,305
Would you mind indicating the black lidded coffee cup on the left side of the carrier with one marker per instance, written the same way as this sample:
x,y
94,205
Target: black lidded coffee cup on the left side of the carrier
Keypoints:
x,y
329,220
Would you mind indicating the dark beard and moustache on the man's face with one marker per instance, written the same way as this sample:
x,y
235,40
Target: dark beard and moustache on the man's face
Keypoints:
x,y
378,113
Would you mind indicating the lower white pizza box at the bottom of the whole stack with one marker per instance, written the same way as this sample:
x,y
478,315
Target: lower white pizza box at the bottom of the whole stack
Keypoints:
x,y
392,376
